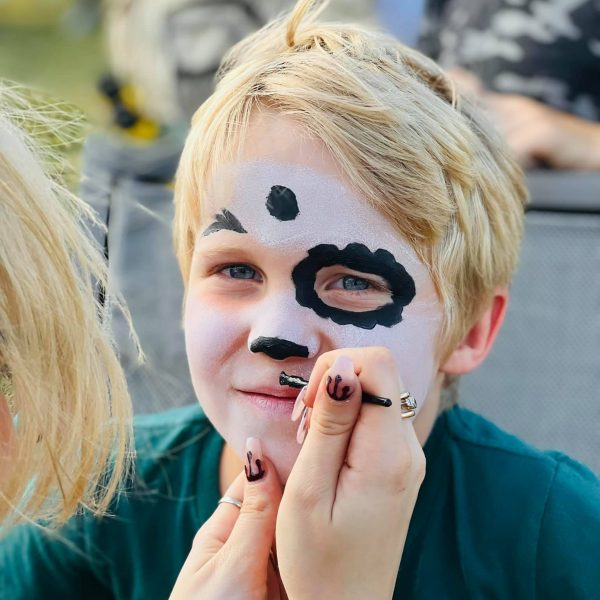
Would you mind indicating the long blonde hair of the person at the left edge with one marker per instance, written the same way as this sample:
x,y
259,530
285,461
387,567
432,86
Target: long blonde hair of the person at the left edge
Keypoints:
x,y
63,382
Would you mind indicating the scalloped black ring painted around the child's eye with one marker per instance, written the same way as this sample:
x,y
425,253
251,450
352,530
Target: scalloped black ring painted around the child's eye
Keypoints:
x,y
359,258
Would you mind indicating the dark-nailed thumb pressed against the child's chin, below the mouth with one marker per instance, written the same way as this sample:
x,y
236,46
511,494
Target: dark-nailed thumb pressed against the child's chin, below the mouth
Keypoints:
x,y
254,530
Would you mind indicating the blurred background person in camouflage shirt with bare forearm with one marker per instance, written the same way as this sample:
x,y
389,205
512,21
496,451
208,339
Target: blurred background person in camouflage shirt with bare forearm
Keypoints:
x,y
535,67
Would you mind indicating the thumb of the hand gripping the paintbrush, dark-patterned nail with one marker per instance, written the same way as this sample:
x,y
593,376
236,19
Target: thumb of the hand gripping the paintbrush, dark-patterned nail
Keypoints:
x,y
334,413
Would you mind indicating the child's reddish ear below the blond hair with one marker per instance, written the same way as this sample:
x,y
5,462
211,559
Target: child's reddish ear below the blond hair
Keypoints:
x,y
475,346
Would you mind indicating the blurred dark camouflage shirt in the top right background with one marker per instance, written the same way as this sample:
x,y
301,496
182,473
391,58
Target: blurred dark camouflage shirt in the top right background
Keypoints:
x,y
548,50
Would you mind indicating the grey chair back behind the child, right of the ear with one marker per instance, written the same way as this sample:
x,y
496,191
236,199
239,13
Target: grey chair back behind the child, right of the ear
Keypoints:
x,y
542,379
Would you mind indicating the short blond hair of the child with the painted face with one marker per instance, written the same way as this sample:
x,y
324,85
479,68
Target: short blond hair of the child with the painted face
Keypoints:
x,y
391,118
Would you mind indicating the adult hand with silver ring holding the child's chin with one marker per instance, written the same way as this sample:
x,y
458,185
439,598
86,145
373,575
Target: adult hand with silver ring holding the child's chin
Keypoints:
x,y
230,554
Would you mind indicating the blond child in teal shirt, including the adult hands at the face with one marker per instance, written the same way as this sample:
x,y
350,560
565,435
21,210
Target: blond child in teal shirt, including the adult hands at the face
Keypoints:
x,y
343,217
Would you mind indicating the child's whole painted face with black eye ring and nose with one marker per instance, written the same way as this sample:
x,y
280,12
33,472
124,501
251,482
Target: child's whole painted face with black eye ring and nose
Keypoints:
x,y
291,264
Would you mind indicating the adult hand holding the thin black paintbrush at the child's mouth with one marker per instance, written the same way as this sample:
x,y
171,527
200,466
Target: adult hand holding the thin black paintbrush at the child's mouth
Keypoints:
x,y
347,504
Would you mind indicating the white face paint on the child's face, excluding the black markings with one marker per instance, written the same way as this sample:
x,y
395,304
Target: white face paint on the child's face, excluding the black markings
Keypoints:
x,y
224,313
